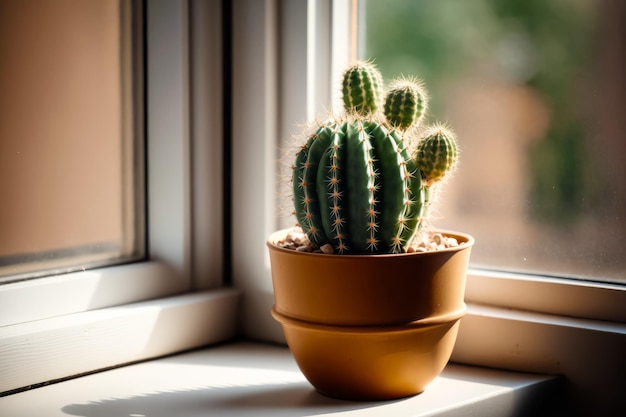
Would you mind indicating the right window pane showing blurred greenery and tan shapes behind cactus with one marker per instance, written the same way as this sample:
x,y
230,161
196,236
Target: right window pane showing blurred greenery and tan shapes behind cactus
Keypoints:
x,y
536,91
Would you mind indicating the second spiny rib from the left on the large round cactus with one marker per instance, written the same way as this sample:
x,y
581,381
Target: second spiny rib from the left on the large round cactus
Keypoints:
x,y
331,189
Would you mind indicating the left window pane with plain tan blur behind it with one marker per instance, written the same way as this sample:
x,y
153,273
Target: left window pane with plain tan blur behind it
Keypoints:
x,y
70,165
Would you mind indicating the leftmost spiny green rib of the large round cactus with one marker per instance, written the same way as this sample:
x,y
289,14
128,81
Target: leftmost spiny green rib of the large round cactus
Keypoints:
x,y
305,195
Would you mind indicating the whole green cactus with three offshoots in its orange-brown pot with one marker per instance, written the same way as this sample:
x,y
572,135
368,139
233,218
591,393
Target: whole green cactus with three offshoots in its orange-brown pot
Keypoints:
x,y
369,296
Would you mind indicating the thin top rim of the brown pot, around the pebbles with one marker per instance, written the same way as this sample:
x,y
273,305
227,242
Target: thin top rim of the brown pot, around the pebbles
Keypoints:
x,y
468,242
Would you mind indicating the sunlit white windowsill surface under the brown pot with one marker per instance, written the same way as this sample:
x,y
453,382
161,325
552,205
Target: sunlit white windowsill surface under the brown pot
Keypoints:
x,y
242,379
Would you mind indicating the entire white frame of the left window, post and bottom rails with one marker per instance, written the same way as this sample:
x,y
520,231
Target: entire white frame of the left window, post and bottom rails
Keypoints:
x,y
55,327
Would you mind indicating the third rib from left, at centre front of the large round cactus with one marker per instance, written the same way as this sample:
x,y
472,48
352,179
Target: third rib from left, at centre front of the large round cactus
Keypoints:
x,y
360,189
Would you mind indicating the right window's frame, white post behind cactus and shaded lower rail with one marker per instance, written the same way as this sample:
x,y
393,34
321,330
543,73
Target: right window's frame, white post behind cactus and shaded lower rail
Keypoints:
x,y
515,321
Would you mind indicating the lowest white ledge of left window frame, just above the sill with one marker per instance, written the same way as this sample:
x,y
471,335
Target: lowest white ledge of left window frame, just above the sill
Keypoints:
x,y
60,347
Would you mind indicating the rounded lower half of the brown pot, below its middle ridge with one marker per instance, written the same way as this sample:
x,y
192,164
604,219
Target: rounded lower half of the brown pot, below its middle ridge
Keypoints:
x,y
370,363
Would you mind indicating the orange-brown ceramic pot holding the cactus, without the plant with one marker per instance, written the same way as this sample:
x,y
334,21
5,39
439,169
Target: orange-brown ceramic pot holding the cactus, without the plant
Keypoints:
x,y
370,327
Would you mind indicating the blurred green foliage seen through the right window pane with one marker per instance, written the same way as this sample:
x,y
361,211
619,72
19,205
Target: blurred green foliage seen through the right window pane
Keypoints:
x,y
545,44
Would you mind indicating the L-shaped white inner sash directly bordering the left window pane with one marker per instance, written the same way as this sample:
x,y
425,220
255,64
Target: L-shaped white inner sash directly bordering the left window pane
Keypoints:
x,y
166,119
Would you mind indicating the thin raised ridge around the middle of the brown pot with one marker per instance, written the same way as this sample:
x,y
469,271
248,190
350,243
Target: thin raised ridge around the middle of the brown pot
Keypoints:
x,y
421,324
